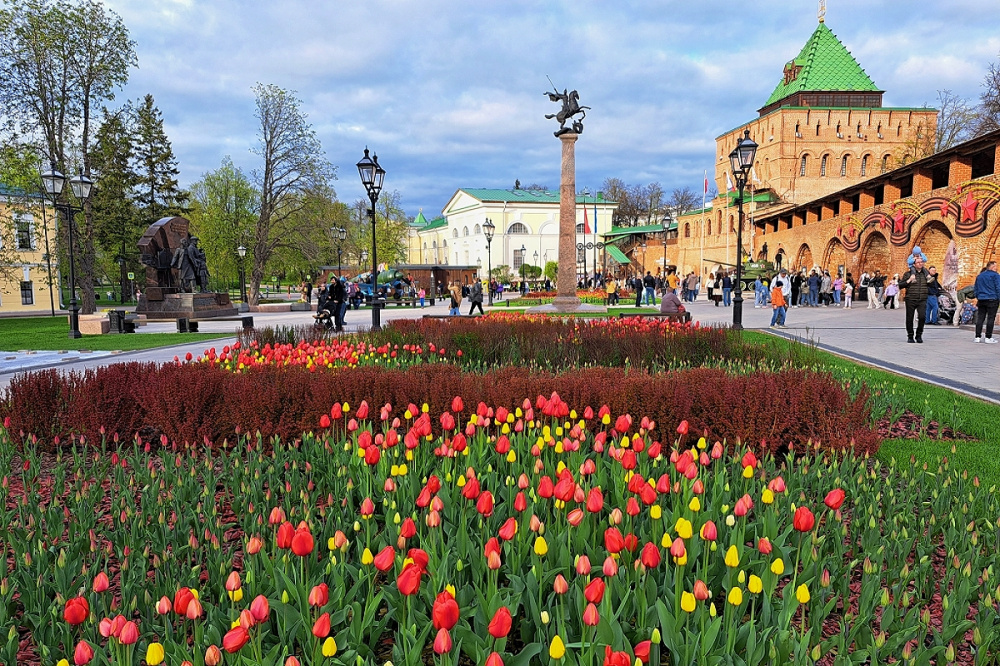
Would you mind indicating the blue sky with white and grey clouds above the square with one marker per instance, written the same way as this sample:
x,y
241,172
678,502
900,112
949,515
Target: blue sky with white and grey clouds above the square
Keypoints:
x,y
449,93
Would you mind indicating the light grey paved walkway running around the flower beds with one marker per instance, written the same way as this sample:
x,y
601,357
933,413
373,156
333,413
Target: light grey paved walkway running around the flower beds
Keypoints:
x,y
877,337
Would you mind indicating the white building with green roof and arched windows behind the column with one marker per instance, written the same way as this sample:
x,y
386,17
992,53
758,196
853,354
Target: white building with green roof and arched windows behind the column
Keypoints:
x,y
526,226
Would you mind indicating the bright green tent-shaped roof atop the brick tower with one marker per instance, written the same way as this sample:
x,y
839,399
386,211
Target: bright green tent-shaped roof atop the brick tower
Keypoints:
x,y
823,64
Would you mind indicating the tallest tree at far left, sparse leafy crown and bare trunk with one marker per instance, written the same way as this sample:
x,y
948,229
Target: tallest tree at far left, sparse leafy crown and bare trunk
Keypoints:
x,y
60,60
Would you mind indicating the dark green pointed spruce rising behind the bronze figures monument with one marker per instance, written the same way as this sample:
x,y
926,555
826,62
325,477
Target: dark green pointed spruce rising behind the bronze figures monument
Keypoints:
x,y
158,194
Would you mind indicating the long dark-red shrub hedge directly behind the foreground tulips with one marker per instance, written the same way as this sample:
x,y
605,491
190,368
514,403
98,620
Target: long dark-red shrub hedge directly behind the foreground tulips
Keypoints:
x,y
195,403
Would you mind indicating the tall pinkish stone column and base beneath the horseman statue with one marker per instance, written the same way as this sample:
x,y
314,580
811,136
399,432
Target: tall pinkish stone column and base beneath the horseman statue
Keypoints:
x,y
567,301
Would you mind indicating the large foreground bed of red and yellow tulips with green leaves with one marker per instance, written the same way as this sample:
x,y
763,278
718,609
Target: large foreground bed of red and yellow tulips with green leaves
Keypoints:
x,y
492,533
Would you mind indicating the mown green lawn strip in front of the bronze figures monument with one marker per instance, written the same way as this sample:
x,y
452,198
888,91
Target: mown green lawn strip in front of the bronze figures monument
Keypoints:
x,y
51,334
